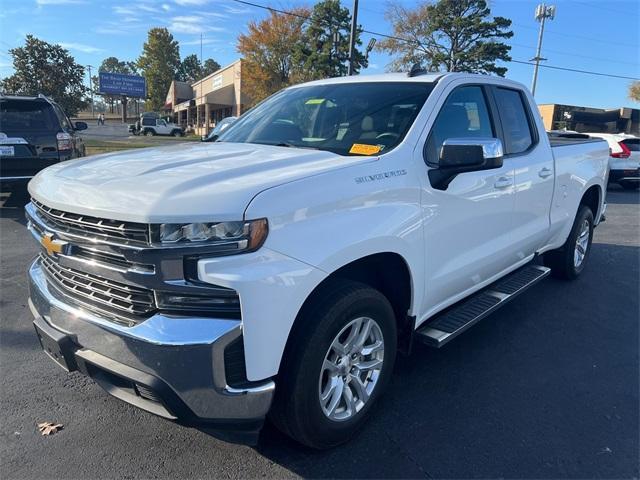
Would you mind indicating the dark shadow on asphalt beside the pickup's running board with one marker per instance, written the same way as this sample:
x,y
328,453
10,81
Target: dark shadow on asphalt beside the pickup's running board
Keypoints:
x,y
546,387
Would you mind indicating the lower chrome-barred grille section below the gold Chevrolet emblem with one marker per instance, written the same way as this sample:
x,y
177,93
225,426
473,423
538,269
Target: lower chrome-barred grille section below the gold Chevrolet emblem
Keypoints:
x,y
99,293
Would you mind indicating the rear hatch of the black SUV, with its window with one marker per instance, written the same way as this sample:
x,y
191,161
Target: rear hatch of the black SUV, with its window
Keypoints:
x,y
29,144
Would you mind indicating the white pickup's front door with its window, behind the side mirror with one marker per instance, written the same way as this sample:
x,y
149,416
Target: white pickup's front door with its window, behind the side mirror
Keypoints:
x,y
467,227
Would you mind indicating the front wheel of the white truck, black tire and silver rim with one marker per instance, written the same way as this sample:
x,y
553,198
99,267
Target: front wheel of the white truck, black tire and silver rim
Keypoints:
x,y
298,409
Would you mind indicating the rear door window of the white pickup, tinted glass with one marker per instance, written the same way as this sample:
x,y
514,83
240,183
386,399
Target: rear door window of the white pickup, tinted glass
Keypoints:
x,y
515,121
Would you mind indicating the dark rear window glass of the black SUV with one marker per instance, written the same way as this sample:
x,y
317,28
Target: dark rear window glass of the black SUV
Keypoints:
x,y
18,116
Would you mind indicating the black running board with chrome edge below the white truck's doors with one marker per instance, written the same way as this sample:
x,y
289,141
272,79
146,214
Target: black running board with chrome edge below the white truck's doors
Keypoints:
x,y
459,317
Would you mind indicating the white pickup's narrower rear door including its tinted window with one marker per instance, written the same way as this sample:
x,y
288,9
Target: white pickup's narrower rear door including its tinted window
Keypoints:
x,y
533,162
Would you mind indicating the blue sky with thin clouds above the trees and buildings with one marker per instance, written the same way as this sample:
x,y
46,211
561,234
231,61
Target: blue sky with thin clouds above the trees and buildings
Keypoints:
x,y
601,36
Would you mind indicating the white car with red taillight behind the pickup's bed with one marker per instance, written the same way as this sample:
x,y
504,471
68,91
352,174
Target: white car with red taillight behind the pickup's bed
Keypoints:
x,y
624,161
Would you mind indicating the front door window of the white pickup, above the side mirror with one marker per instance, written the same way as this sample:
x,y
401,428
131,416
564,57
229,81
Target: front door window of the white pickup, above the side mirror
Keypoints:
x,y
464,115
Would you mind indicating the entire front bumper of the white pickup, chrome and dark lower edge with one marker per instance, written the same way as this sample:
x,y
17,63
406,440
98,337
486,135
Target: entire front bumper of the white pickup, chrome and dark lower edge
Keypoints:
x,y
173,367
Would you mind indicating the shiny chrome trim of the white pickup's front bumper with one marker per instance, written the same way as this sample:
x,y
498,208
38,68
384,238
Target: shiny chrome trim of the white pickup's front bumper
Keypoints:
x,y
185,352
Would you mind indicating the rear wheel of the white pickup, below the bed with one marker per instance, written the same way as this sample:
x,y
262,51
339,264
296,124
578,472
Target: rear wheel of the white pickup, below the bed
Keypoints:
x,y
567,262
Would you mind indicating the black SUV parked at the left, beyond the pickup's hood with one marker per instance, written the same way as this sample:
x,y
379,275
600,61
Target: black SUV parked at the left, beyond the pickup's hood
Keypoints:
x,y
34,133
